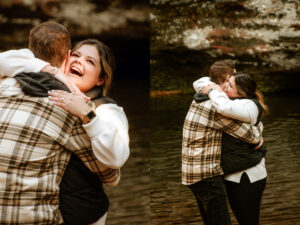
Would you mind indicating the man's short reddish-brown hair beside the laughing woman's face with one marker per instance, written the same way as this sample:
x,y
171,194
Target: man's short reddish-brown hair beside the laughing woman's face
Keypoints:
x,y
50,41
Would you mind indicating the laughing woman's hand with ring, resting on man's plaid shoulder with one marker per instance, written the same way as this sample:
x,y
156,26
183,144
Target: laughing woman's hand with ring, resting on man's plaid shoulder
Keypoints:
x,y
71,102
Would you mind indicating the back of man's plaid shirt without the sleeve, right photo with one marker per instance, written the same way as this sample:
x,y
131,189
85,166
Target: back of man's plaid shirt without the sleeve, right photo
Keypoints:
x,y
201,152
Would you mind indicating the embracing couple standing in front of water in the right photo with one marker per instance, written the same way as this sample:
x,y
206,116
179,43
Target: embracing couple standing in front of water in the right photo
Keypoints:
x,y
222,147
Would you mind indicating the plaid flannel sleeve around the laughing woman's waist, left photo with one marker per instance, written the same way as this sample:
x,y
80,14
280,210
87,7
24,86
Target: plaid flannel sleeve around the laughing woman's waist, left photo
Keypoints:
x,y
80,144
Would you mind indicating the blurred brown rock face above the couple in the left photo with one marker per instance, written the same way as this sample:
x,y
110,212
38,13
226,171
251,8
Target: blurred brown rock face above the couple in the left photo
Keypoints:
x,y
84,18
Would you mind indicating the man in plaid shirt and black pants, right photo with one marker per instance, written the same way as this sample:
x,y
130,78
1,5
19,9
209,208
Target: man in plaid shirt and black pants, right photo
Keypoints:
x,y
201,151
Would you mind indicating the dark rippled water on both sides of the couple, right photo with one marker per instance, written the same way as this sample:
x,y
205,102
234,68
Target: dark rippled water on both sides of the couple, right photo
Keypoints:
x,y
172,203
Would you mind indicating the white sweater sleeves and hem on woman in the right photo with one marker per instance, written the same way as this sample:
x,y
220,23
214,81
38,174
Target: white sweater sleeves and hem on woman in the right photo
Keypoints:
x,y
240,109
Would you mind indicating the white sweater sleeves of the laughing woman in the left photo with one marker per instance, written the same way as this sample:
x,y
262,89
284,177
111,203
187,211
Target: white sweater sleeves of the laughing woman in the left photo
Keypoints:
x,y
108,130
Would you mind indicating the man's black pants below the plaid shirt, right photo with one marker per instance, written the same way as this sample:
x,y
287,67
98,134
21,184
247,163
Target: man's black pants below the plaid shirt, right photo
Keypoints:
x,y
211,197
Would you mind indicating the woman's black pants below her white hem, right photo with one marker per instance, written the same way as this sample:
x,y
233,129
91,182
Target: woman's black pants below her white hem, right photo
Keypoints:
x,y
245,199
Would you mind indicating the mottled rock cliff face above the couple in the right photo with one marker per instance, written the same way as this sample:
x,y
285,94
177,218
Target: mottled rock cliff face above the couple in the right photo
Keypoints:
x,y
261,36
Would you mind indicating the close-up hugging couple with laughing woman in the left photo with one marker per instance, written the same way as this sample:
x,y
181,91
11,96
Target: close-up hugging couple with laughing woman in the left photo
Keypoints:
x,y
58,148
